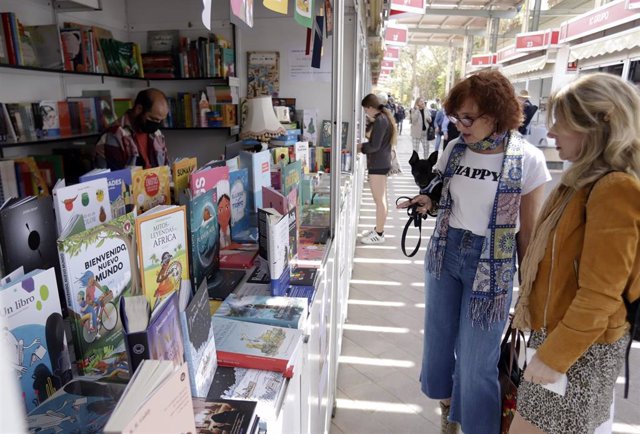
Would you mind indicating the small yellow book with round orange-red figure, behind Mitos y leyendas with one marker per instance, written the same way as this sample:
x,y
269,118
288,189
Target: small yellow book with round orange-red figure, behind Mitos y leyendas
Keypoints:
x,y
150,188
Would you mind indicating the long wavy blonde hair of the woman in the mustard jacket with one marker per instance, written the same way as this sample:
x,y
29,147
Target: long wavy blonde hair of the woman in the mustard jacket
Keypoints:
x,y
606,109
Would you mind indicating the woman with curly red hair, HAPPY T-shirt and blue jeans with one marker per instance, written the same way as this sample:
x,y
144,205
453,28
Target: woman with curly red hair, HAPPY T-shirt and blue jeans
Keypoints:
x,y
492,188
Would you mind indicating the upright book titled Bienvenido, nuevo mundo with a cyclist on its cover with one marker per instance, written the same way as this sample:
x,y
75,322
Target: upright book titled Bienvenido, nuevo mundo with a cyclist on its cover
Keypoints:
x,y
99,267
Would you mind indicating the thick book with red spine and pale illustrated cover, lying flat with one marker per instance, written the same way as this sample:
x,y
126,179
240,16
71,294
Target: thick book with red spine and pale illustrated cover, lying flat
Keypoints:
x,y
256,346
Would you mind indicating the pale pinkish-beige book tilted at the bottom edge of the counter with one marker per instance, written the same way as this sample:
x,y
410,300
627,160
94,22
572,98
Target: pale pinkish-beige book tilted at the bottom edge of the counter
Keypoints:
x,y
156,400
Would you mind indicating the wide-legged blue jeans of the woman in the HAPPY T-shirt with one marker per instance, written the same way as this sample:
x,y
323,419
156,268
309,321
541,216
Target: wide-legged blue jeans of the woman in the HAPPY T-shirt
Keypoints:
x,y
461,361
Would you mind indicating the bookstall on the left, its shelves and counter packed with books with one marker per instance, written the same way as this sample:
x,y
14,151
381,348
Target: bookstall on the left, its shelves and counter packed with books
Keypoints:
x,y
208,292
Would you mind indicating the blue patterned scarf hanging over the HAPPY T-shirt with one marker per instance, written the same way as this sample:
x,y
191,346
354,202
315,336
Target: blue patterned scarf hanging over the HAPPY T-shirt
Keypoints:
x,y
494,275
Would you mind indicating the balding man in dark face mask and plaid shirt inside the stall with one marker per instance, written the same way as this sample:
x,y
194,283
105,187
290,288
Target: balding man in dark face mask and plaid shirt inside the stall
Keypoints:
x,y
135,139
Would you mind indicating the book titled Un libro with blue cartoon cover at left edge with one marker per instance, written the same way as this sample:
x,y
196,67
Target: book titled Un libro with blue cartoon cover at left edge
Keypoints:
x,y
34,333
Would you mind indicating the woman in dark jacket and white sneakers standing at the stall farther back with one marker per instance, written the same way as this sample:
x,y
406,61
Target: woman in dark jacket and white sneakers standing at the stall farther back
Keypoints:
x,y
378,151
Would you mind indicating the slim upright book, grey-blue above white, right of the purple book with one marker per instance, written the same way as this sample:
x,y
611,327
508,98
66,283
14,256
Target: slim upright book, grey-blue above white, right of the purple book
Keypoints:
x,y
199,343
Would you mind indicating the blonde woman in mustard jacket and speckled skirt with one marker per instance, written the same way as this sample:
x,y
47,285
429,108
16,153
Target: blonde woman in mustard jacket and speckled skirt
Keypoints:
x,y
583,259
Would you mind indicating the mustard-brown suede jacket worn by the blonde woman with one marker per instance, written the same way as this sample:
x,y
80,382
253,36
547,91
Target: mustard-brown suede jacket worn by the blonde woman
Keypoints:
x,y
591,260
